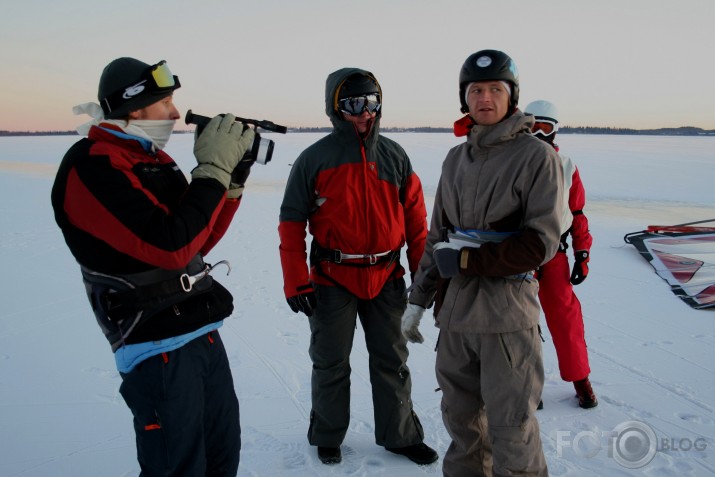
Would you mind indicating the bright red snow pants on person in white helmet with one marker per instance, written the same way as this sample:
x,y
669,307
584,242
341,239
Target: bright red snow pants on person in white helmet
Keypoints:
x,y
564,318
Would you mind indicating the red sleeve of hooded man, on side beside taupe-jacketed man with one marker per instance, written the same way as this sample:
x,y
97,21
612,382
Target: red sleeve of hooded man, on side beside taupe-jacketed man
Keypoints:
x,y
415,221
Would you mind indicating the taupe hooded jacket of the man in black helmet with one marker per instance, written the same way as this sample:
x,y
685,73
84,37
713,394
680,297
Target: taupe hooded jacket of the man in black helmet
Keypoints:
x,y
502,179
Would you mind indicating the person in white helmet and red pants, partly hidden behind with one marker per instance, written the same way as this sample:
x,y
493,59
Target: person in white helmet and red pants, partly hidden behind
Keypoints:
x,y
561,307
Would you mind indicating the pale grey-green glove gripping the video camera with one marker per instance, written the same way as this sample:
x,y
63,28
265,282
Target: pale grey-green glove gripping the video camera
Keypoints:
x,y
219,147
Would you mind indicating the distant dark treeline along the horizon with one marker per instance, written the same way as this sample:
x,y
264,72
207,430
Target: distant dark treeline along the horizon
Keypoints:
x,y
681,131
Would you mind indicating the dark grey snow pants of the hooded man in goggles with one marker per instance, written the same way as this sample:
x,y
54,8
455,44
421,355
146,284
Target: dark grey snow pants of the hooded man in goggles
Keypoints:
x,y
332,329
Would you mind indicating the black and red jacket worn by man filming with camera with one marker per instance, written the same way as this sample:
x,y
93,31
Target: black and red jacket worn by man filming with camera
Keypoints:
x,y
124,211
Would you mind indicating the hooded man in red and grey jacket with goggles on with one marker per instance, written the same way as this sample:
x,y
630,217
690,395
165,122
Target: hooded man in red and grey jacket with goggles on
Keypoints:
x,y
356,191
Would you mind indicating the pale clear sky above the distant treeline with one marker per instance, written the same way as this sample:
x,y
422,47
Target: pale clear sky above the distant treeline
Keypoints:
x,y
619,63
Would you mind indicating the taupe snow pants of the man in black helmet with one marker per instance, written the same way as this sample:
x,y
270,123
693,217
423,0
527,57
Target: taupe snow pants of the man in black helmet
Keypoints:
x,y
491,385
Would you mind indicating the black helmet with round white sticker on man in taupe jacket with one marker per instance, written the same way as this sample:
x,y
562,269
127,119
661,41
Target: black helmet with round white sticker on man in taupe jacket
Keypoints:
x,y
489,65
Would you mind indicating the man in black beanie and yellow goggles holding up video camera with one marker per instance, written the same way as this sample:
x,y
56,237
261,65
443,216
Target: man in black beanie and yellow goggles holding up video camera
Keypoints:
x,y
139,231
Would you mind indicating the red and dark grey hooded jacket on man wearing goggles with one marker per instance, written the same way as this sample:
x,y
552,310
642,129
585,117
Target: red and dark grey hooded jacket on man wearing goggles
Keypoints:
x,y
357,195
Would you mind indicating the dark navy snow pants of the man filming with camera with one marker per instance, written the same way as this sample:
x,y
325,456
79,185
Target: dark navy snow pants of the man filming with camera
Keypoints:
x,y
186,415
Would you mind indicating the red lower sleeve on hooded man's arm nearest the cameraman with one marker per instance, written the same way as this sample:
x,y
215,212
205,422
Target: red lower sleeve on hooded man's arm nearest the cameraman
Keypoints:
x,y
293,256
